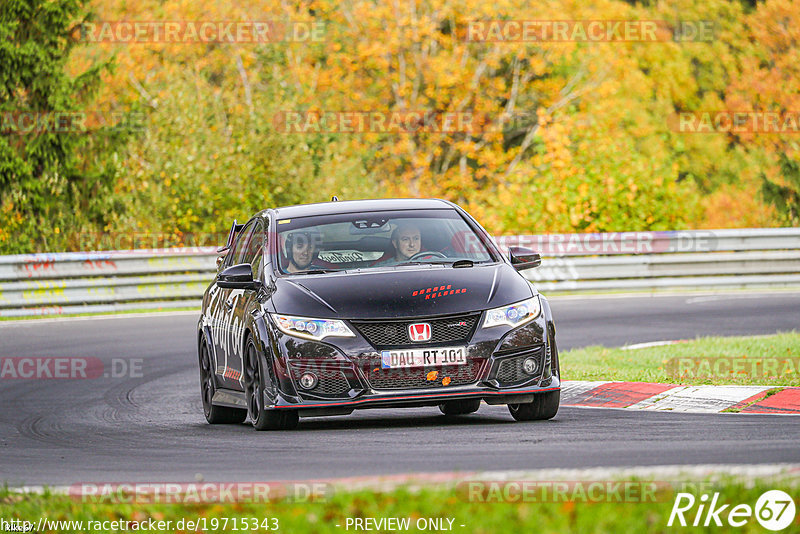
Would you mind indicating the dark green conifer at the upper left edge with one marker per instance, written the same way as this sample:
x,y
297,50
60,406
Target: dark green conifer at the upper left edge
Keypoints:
x,y
46,187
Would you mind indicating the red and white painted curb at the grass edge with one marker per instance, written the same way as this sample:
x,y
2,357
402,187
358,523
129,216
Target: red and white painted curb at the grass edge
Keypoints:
x,y
669,397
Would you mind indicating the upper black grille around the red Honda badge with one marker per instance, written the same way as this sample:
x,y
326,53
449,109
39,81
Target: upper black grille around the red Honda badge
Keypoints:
x,y
384,334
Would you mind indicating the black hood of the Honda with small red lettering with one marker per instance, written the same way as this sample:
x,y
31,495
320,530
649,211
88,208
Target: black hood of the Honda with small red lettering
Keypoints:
x,y
403,292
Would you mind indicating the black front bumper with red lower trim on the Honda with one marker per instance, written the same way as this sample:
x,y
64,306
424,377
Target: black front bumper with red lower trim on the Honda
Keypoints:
x,y
349,379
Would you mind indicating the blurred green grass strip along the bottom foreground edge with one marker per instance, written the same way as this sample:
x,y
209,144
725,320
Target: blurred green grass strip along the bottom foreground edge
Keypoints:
x,y
565,516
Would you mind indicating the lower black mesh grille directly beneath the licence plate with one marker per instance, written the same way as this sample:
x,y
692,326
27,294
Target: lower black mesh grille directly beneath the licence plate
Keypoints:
x,y
417,377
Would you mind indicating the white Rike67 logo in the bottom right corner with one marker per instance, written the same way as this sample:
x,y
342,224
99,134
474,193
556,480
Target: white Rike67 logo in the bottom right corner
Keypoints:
x,y
774,510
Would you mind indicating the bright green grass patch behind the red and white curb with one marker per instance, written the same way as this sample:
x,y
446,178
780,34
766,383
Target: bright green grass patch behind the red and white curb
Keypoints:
x,y
694,362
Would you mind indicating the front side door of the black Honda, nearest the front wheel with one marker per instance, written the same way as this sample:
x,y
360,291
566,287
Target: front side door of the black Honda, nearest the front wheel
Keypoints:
x,y
252,253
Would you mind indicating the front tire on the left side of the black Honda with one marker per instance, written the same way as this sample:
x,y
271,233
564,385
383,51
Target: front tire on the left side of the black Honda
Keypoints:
x,y
254,385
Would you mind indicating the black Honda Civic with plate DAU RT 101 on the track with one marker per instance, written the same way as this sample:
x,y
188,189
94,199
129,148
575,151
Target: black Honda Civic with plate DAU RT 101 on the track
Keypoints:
x,y
321,309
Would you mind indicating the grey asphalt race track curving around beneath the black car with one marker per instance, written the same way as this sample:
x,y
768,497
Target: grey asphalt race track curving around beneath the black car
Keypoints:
x,y
150,428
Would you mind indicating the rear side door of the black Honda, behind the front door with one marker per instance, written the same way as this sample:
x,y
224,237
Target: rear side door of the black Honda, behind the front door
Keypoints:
x,y
227,370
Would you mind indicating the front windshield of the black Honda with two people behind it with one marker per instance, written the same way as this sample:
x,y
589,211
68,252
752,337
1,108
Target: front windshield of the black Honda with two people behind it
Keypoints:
x,y
378,240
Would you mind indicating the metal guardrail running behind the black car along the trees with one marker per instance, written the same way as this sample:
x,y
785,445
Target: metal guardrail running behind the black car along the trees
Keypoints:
x,y
89,282
